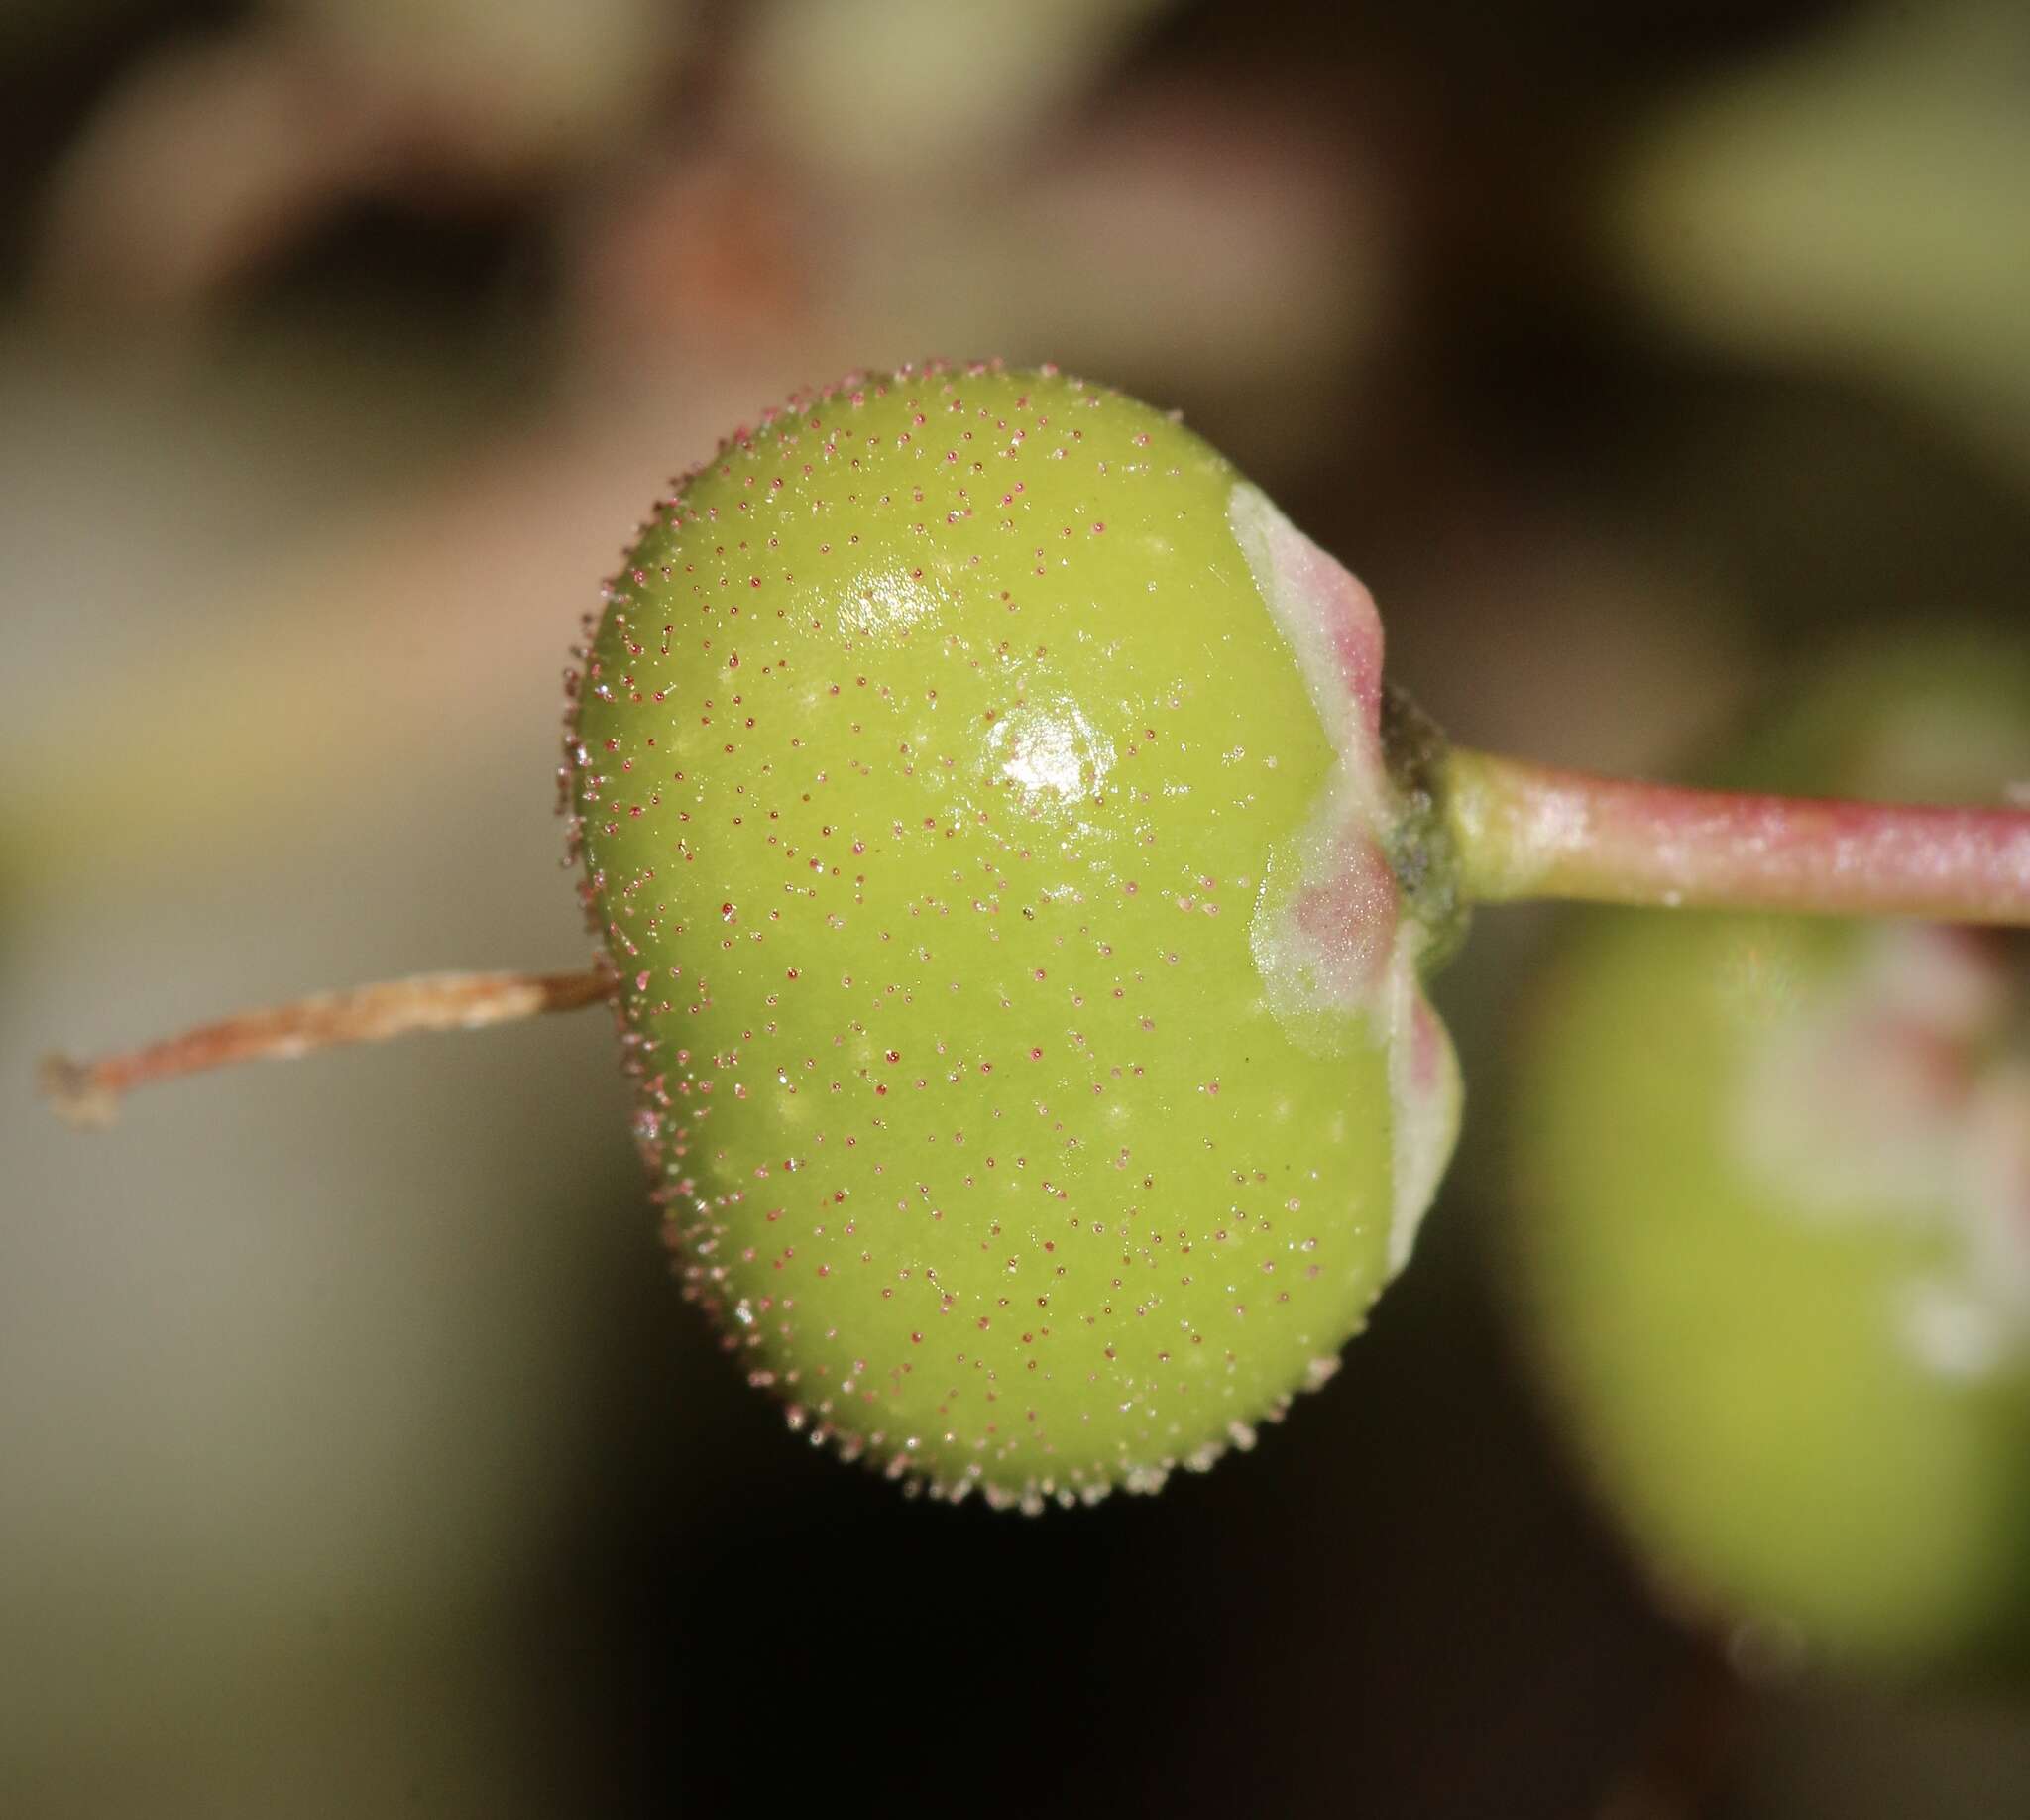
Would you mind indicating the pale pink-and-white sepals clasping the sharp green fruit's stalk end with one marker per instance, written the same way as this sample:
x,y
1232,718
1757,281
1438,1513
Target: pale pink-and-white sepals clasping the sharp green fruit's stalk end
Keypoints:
x,y
1331,935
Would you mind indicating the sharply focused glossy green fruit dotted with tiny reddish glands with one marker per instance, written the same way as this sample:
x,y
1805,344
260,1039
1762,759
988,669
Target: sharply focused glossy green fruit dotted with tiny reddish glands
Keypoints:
x,y
984,803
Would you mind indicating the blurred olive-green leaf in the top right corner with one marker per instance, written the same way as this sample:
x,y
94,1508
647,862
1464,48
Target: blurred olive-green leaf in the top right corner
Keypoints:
x,y
1863,204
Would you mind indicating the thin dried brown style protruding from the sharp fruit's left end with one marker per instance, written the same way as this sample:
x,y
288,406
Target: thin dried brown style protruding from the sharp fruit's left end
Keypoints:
x,y
88,1094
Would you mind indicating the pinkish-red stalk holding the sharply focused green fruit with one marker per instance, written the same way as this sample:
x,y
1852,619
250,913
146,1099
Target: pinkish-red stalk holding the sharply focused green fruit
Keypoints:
x,y
1532,832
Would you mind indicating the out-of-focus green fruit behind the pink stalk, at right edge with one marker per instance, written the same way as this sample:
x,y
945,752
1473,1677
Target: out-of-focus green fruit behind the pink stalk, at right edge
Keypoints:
x,y
1775,1236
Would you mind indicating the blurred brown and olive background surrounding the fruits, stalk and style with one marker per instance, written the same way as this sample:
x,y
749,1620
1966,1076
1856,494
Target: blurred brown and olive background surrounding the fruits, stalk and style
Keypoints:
x,y
356,1451
